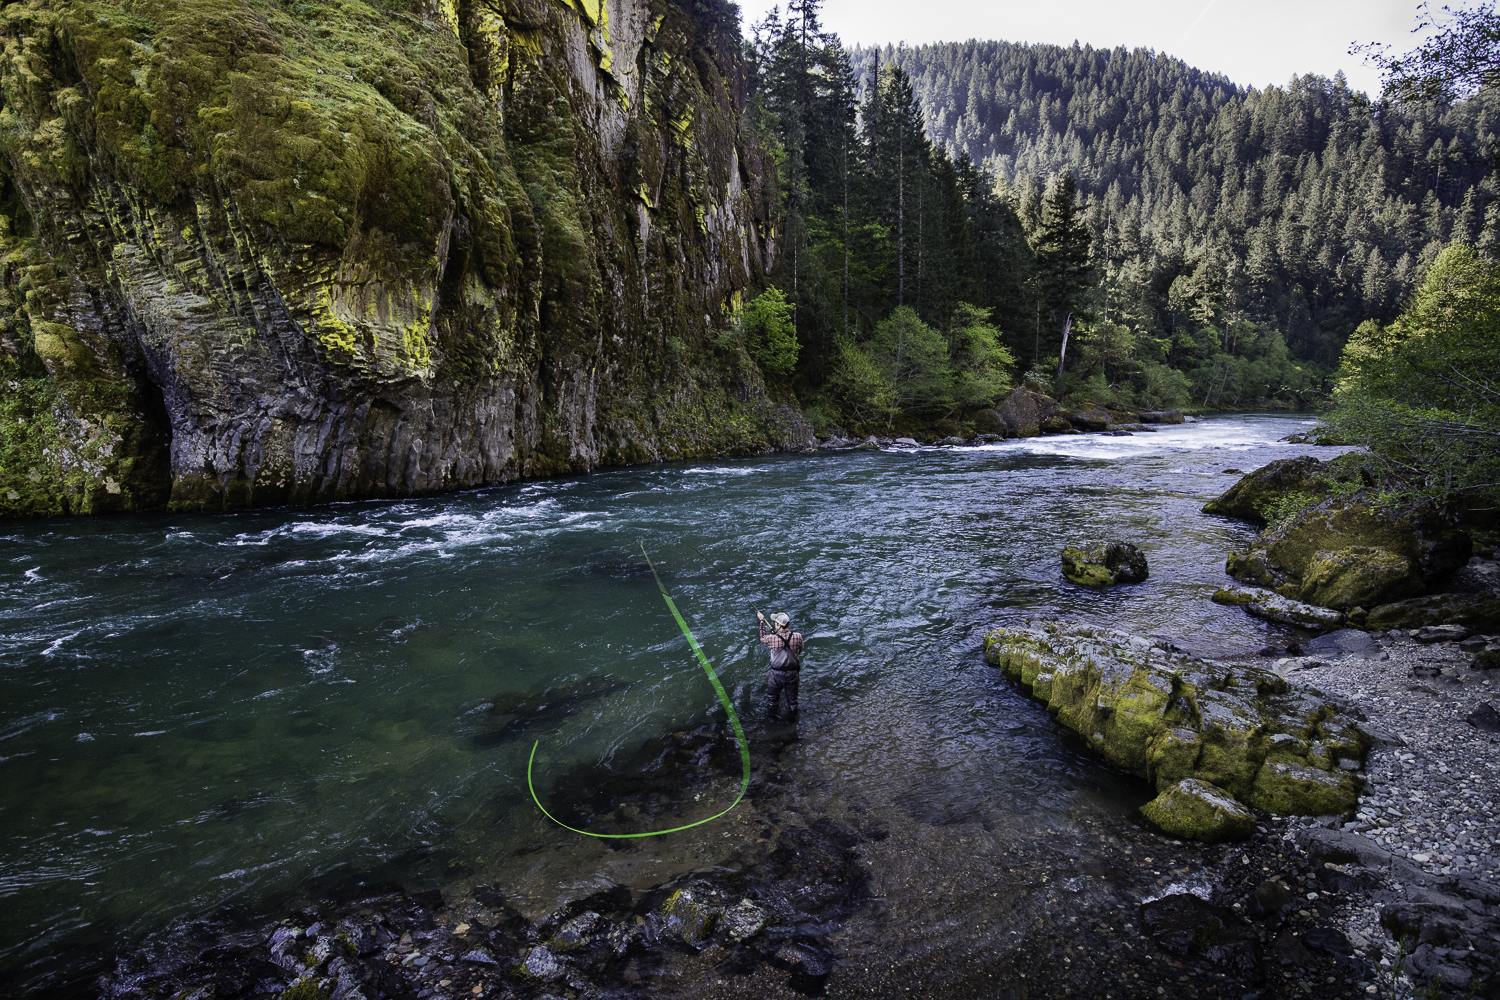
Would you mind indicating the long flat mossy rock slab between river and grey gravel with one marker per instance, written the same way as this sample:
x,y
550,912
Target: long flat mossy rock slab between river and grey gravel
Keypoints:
x,y
1166,717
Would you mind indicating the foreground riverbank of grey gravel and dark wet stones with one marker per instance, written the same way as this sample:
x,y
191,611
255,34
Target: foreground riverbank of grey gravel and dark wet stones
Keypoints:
x,y
832,900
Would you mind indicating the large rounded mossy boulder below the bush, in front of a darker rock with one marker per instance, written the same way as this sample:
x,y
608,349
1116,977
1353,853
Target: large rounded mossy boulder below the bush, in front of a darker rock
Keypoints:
x,y
1342,554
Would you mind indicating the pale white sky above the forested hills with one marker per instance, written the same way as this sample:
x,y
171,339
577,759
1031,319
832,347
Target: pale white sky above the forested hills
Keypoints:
x,y
1255,43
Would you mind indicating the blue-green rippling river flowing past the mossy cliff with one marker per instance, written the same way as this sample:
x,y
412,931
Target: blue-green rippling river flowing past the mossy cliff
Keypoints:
x,y
209,711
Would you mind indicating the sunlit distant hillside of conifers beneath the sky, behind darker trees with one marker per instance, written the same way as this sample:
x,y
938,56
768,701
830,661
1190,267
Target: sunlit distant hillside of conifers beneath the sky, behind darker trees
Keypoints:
x,y
1304,206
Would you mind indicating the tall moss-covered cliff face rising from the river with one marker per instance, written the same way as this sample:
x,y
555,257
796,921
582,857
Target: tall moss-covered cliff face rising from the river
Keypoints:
x,y
263,253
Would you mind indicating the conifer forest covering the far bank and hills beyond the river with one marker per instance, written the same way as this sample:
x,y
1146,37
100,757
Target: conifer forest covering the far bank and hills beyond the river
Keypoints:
x,y
1102,224
